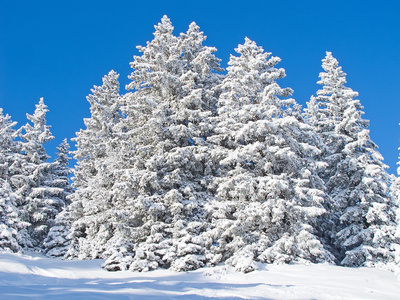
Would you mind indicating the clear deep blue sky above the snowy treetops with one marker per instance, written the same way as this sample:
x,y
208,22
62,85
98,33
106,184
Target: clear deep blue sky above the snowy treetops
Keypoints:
x,y
60,49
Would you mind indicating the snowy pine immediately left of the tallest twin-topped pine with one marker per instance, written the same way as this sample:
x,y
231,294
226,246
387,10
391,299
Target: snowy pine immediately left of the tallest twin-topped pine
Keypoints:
x,y
94,209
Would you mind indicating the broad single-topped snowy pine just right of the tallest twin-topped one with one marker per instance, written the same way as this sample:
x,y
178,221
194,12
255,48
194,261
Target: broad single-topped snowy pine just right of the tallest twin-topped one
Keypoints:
x,y
269,196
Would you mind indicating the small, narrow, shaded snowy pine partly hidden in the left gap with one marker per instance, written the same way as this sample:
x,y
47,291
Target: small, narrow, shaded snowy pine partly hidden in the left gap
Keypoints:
x,y
57,242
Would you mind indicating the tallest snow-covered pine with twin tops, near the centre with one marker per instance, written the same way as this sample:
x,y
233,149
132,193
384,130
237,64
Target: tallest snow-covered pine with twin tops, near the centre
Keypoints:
x,y
169,166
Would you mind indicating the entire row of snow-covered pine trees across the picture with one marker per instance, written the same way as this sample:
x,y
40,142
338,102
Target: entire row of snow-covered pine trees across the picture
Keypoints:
x,y
193,167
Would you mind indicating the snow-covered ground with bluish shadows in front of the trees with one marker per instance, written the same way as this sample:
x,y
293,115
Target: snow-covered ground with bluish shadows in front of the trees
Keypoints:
x,y
36,277
